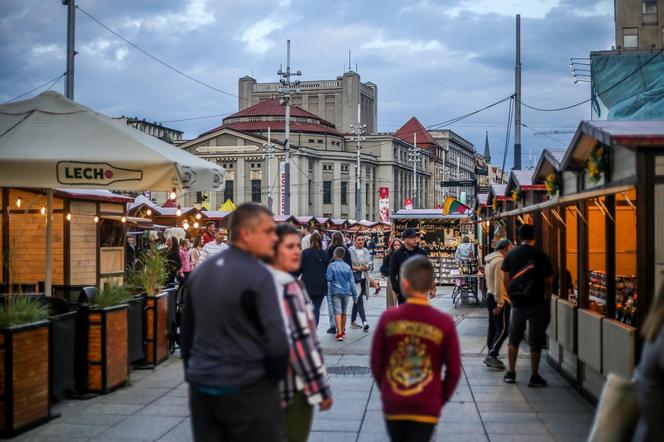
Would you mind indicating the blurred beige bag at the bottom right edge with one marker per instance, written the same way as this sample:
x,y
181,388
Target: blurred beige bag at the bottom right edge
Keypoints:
x,y
617,412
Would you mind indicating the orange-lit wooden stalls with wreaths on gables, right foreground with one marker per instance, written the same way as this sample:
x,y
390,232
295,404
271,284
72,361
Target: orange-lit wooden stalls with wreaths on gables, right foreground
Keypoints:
x,y
599,226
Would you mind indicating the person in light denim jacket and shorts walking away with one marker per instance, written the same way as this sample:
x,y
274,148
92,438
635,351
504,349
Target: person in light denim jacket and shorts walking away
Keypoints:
x,y
341,285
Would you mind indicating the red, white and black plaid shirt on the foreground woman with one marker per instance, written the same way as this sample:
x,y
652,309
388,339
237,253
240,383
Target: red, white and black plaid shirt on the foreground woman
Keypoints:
x,y
306,371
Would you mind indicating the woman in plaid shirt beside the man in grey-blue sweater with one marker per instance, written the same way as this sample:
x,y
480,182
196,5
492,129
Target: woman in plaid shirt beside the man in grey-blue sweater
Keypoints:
x,y
306,382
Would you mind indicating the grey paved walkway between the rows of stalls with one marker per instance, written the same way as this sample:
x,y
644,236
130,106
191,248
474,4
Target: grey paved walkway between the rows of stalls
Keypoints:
x,y
483,408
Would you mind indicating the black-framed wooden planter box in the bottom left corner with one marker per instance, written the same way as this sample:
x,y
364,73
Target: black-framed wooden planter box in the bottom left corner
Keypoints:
x,y
24,372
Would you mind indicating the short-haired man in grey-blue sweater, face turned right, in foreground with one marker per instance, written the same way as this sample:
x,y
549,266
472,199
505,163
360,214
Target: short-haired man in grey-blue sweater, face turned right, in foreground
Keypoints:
x,y
234,342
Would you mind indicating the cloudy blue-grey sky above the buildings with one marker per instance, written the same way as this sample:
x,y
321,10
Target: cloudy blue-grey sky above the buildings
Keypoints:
x,y
431,59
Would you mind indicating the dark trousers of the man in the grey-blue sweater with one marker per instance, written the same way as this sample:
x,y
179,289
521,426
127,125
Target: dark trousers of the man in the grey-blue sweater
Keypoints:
x,y
251,414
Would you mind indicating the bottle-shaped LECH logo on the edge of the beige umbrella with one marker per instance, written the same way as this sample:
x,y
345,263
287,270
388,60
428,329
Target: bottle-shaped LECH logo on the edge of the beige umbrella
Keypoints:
x,y
79,173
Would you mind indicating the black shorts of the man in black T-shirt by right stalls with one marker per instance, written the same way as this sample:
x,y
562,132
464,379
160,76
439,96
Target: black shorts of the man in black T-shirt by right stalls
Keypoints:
x,y
537,318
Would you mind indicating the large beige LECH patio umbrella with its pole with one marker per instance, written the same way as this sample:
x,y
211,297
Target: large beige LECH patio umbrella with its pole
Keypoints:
x,y
52,142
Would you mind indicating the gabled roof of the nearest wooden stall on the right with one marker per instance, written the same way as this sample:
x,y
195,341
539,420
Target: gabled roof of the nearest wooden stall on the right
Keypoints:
x,y
630,134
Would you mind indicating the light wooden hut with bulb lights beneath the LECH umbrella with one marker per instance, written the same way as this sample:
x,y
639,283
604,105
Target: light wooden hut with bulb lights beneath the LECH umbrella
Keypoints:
x,y
88,240
